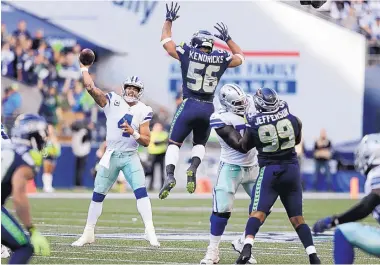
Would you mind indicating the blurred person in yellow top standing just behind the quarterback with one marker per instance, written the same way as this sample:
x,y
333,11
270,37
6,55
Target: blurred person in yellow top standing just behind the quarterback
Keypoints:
x,y
157,149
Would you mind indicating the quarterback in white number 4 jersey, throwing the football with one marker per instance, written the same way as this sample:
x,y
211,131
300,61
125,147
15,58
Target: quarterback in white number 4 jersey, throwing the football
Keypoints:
x,y
127,127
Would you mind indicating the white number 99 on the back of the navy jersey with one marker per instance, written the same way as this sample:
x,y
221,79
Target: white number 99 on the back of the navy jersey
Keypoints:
x,y
271,135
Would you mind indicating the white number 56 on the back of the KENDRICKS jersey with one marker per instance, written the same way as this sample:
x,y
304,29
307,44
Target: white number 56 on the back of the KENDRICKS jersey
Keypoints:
x,y
208,82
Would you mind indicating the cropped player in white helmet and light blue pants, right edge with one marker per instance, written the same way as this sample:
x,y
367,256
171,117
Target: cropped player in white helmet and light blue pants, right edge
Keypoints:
x,y
349,234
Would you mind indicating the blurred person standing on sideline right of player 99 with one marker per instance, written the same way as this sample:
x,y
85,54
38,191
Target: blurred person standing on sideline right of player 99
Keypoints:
x,y
322,156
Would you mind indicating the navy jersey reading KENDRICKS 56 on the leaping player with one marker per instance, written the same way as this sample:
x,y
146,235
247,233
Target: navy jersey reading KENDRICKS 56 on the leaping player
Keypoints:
x,y
201,71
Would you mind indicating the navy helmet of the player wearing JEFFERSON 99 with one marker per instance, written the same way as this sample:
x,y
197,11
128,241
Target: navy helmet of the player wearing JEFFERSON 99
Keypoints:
x,y
266,100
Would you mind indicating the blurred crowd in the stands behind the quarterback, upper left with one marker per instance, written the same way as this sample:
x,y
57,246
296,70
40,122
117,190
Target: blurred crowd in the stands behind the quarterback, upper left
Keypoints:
x,y
55,71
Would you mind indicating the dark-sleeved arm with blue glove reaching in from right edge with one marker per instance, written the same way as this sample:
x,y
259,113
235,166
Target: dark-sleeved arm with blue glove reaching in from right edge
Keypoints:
x,y
356,213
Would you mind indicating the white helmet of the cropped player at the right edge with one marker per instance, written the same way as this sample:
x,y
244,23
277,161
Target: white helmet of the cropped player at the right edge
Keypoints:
x,y
368,153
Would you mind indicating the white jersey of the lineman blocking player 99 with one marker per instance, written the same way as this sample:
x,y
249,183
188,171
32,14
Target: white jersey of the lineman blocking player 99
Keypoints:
x,y
229,155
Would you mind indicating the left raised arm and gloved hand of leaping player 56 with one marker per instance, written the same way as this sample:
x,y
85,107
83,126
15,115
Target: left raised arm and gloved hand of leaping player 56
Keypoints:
x,y
166,36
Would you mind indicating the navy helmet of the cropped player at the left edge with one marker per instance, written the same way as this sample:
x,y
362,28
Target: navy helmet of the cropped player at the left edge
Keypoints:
x,y
30,130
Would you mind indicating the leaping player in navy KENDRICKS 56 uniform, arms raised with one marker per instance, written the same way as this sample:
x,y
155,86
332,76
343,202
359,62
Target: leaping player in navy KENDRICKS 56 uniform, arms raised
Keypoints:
x,y
202,67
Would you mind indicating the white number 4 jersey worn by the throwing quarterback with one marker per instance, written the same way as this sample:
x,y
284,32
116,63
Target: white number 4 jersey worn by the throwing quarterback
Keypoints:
x,y
118,111
